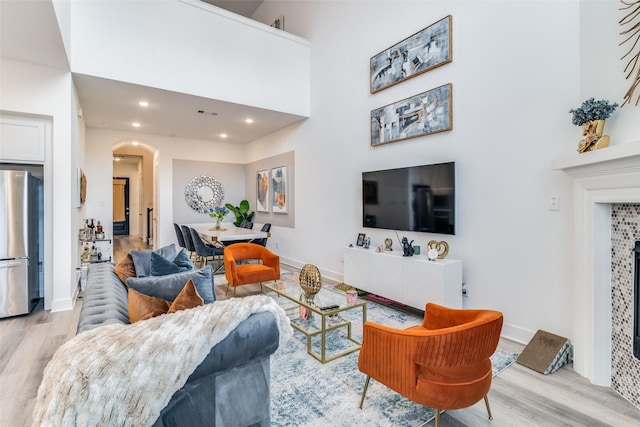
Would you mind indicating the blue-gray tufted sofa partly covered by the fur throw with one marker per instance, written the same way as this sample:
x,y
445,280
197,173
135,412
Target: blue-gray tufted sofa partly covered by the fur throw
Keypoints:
x,y
229,388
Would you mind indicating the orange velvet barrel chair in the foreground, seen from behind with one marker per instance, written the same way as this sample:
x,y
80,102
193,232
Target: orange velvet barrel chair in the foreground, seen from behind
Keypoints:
x,y
443,364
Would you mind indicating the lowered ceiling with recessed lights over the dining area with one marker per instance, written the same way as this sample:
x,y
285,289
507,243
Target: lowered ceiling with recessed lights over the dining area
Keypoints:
x,y
110,104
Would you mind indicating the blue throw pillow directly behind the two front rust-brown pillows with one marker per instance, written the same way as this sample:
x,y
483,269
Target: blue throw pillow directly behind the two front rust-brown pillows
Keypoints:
x,y
168,287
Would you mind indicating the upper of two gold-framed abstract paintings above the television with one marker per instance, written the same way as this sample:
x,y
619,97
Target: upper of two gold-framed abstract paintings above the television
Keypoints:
x,y
423,51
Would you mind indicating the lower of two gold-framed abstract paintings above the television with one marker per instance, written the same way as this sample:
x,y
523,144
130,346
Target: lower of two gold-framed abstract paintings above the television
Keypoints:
x,y
422,114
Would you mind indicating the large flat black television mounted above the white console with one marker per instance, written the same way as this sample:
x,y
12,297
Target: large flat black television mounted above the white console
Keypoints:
x,y
417,198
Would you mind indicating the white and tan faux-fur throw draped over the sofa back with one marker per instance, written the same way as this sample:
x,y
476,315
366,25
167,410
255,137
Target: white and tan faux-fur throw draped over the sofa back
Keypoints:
x,y
124,375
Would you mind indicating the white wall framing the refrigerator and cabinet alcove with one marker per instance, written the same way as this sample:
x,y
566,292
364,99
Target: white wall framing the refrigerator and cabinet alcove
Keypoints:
x,y
46,92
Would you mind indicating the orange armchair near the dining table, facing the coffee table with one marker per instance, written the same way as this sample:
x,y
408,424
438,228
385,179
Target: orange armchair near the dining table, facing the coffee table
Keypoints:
x,y
243,273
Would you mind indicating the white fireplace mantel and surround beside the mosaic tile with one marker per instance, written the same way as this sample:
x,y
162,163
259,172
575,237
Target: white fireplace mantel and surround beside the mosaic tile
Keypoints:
x,y
601,178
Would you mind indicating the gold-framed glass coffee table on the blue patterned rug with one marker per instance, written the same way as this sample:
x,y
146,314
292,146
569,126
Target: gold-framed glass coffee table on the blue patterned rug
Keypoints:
x,y
324,314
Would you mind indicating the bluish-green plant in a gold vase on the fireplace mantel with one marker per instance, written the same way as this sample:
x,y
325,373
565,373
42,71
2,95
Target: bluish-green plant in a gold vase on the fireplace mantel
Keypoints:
x,y
591,115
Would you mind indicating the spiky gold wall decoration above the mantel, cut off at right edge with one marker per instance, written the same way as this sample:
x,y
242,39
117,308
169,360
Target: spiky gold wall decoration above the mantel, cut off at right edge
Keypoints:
x,y
634,37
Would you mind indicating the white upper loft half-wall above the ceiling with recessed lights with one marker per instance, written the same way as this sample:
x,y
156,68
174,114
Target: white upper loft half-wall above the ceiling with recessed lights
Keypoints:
x,y
191,47
